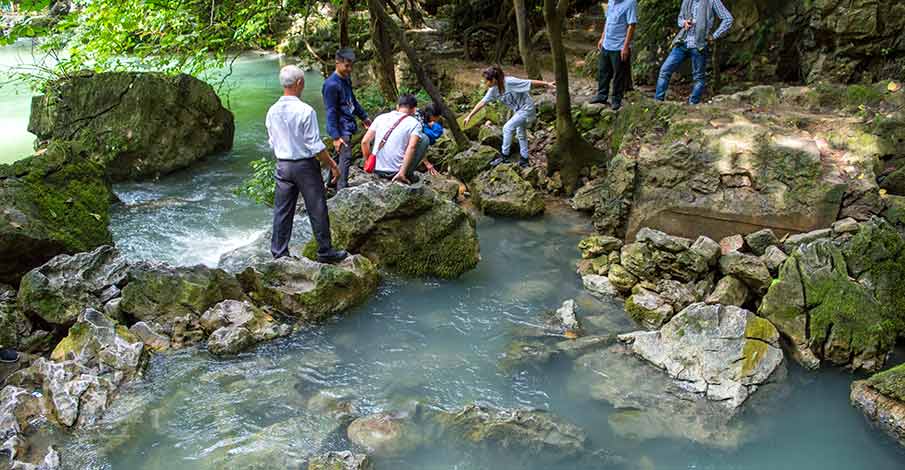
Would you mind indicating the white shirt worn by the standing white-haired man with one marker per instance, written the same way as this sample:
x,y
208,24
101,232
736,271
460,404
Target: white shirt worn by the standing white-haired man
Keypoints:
x,y
293,129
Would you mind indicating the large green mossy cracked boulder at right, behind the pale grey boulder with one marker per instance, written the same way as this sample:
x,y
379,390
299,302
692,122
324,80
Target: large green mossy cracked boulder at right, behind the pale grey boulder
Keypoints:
x,y
842,305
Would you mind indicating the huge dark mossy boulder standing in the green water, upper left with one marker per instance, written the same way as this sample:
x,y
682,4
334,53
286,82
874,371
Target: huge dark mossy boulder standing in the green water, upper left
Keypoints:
x,y
145,125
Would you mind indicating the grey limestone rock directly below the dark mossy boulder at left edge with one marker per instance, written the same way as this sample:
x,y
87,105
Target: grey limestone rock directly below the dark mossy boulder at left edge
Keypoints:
x,y
60,290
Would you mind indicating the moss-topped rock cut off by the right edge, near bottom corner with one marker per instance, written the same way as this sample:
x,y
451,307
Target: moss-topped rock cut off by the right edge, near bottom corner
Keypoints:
x,y
882,399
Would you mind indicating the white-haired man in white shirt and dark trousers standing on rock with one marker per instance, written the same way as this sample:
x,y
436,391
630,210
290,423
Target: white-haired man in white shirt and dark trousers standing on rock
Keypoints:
x,y
296,142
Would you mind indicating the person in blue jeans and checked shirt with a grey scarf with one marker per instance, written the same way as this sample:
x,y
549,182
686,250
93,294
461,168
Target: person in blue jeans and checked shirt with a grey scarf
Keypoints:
x,y
696,20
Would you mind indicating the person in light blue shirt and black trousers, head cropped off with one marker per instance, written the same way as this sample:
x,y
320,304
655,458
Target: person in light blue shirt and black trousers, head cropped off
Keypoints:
x,y
615,47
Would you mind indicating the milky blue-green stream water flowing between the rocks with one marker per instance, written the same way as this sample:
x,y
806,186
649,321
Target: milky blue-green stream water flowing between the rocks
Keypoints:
x,y
438,342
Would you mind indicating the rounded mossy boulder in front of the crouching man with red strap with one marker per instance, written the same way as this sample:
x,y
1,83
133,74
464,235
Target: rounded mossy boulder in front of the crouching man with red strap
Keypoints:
x,y
409,229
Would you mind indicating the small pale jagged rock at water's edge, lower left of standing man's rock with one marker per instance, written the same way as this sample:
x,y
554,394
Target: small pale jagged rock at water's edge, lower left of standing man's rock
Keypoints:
x,y
235,326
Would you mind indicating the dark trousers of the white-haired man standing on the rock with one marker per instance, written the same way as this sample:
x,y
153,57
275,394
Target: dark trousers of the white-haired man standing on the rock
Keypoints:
x,y
293,177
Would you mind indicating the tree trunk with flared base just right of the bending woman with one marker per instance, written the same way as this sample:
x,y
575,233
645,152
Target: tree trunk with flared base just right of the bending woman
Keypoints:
x,y
571,153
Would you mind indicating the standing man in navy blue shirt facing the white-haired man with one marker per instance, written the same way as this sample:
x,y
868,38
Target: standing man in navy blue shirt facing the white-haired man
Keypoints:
x,y
342,109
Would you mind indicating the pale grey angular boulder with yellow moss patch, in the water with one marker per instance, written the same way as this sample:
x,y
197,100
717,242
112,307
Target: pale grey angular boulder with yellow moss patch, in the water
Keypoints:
x,y
720,352
